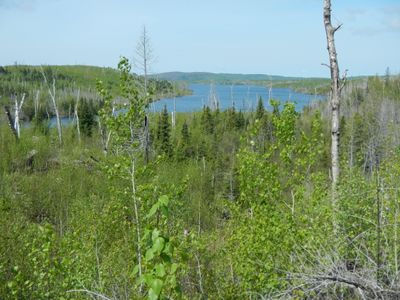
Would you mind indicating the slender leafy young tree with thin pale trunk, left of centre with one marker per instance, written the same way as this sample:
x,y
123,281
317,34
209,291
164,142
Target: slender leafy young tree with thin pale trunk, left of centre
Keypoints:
x,y
126,135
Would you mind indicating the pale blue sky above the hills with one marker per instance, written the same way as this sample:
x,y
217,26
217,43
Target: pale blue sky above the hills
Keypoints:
x,y
276,37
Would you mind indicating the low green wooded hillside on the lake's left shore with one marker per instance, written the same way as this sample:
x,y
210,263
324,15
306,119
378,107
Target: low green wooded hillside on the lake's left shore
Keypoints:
x,y
69,82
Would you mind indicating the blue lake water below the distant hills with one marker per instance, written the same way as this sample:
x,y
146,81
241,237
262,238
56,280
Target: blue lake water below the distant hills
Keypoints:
x,y
243,97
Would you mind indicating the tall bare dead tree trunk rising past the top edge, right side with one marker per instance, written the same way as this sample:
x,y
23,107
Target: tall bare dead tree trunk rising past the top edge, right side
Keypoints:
x,y
335,95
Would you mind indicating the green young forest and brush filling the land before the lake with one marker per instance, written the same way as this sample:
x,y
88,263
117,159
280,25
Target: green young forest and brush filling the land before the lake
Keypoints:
x,y
213,204
